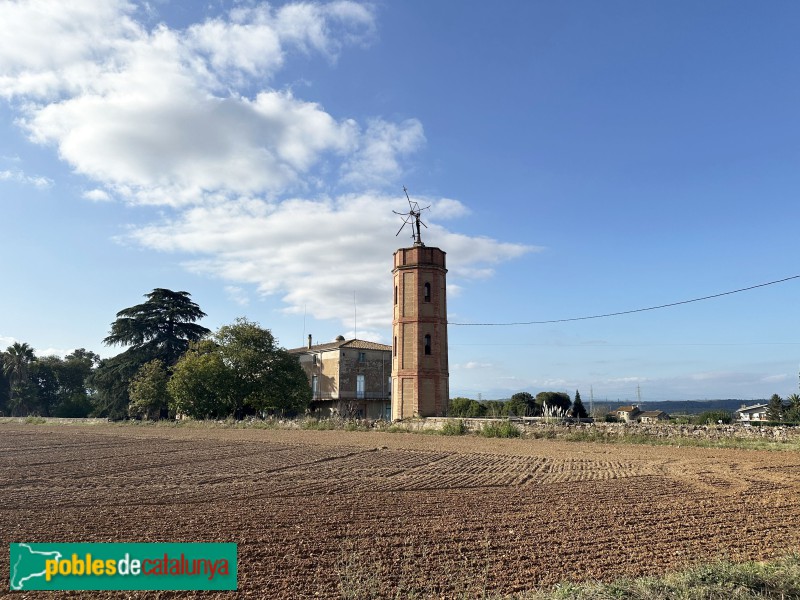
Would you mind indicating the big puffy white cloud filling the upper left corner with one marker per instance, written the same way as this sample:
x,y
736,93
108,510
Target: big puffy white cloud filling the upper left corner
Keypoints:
x,y
156,116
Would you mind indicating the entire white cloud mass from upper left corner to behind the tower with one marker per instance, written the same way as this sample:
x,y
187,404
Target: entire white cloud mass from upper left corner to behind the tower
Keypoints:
x,y
185,119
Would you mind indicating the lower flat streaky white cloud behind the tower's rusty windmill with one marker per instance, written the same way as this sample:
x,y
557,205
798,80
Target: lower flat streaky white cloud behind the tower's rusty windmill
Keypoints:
x,y
315,253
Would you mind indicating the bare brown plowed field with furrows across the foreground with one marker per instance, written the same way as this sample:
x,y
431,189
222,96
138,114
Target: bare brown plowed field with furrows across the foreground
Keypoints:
x,y
316,513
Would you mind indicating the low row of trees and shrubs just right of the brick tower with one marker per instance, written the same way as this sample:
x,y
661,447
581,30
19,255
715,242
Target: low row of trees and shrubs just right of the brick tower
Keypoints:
x,y
521,404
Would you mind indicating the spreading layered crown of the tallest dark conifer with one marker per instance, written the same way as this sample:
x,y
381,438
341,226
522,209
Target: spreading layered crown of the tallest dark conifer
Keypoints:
x,y
160,328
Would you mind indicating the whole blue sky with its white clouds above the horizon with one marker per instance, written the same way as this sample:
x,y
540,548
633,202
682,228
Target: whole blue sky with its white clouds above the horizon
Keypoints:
x,y
579,158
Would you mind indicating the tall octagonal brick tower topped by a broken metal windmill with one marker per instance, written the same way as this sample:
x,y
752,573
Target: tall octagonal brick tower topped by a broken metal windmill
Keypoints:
x,y
420,377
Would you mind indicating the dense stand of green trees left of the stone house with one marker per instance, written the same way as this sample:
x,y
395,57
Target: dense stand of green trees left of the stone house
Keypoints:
x,y
172,366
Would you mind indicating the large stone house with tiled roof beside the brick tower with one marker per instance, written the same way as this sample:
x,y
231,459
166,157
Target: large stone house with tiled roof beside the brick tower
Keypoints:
x,y
349,378
